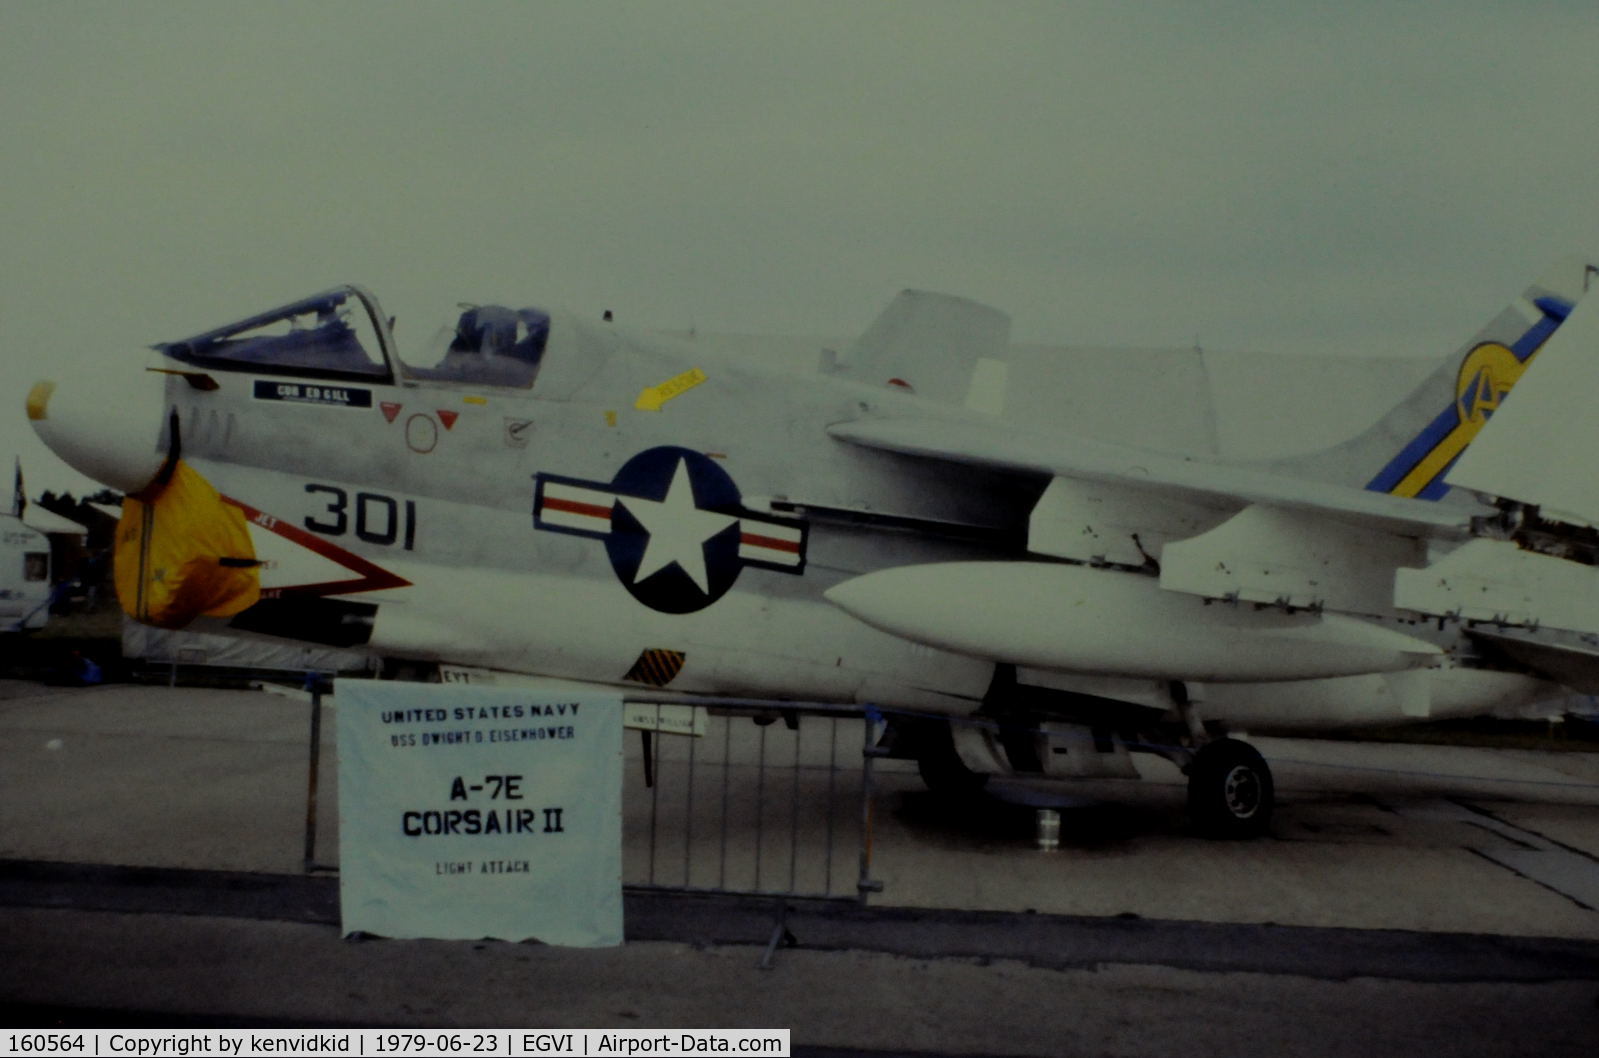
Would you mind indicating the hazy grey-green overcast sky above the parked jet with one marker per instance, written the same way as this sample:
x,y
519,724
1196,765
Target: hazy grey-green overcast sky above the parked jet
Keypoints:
x,y
1325,178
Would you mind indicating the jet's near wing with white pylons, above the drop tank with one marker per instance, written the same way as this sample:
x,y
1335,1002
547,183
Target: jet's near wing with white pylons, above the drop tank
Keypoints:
x,y
1211,531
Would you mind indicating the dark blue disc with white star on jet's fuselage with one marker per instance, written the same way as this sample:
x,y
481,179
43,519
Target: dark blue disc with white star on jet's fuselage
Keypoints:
x,y
676,530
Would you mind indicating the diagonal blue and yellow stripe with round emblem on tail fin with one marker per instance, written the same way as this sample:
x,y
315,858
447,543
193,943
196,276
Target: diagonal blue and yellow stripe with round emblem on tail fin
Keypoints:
x,y
1486,375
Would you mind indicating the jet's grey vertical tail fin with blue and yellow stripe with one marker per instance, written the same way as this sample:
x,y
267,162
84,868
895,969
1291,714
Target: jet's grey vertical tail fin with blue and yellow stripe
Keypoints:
x,y
1411,448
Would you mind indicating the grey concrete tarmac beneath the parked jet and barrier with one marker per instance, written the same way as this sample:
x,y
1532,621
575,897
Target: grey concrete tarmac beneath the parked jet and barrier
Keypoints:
x,y
1386,867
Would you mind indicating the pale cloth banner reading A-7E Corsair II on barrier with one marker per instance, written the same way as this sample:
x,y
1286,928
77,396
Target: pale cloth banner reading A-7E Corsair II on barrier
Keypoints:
x,y
469,813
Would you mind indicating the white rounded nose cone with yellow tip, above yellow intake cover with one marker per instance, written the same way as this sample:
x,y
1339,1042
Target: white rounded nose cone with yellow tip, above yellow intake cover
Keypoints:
x,y
106,426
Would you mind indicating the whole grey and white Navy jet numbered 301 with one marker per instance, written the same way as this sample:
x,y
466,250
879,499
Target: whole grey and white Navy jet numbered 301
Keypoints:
x,y
559,496
